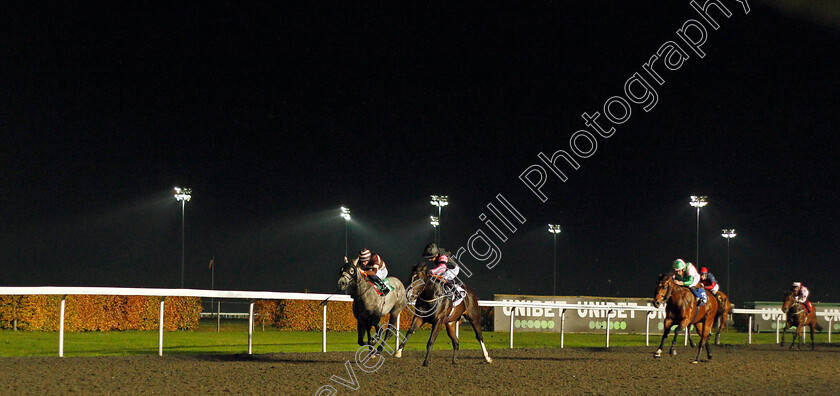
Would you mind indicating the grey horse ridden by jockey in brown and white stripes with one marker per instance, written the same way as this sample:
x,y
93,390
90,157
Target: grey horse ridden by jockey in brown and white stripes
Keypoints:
x,y
368,306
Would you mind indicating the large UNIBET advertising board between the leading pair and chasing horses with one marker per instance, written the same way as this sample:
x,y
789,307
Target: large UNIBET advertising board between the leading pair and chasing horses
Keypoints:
x,y
547,320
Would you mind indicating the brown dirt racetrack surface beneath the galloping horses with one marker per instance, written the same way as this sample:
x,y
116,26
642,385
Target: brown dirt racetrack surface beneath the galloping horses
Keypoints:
x,y
762,369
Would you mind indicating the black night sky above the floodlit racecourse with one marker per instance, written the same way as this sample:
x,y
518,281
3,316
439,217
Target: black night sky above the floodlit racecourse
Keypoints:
x,y
276,116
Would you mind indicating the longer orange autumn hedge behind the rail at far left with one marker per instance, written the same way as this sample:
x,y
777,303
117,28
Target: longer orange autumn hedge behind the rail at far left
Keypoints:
x,y
99,313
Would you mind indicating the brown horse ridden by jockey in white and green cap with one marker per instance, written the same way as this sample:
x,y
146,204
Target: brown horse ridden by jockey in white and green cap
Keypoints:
x,y
681,309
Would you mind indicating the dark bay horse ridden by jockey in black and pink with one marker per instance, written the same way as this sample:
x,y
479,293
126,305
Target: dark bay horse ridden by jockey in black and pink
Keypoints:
x,y
432,306
